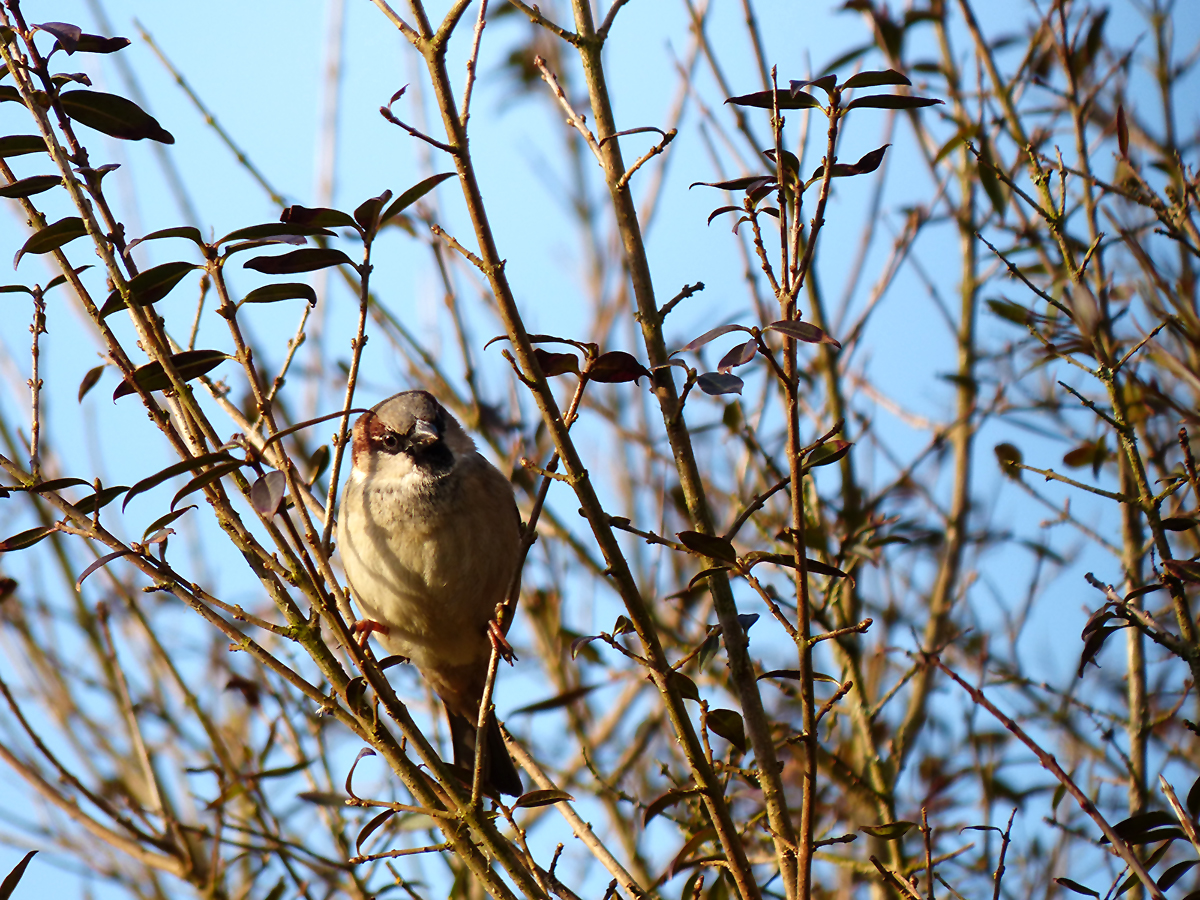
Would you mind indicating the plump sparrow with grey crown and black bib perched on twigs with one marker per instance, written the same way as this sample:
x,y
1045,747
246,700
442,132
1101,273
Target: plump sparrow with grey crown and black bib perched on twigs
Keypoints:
x,y
429,533
